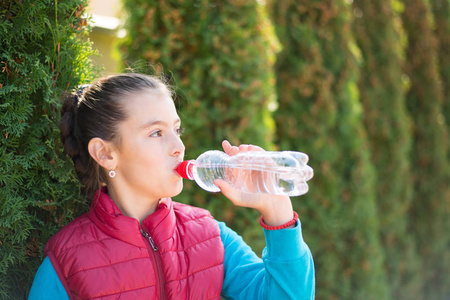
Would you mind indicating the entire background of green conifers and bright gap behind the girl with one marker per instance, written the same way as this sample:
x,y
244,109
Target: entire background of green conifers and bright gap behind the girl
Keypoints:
x,y
362,87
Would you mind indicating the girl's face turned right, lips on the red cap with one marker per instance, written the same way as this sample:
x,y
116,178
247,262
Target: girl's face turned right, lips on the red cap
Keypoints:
x,y
150,147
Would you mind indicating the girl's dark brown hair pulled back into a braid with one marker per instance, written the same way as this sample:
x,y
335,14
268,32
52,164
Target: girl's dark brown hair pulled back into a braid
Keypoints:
x,y
95,111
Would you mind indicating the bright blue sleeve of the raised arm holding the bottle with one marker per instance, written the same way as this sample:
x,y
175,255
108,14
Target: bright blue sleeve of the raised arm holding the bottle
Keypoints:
x,y
286,270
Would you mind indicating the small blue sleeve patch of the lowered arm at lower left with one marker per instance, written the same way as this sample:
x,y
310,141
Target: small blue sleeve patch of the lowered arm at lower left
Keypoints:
x,y
46,284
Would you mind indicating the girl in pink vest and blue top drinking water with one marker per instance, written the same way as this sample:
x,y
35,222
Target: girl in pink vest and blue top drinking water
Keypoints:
x,y
123,135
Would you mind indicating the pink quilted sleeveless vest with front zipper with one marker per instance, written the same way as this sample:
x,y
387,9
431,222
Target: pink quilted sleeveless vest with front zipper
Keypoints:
x,y
176,253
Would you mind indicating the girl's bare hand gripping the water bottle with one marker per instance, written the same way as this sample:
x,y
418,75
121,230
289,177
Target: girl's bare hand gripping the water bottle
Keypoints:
x,y
276,209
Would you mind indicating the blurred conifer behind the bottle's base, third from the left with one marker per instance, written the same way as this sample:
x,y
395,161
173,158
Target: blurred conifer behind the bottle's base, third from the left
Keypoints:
x,y
319,113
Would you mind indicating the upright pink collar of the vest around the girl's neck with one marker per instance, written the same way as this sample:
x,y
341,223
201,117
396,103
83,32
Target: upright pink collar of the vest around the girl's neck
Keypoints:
x,y
105,214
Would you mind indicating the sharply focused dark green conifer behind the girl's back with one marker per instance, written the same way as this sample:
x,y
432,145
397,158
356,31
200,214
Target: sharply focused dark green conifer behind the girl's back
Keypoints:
x,y
41,57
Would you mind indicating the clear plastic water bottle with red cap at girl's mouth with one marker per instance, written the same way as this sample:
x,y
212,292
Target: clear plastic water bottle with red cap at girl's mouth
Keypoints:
x,y
279,173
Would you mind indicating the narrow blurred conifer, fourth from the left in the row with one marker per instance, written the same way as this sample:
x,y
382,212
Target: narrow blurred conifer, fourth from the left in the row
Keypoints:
x,y
388,125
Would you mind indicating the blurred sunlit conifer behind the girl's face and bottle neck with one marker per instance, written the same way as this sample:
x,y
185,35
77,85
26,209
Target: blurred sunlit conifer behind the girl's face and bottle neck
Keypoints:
x,y
219,55
